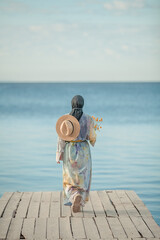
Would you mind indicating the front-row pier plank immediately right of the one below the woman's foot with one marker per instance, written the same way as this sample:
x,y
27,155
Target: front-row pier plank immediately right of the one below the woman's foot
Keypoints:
x,y
90,228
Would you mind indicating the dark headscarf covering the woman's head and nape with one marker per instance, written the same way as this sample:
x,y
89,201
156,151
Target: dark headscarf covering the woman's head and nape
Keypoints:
x,y
77,105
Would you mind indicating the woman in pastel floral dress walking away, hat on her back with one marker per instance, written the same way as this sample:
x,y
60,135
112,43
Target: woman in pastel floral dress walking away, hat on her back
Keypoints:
x,y
75,131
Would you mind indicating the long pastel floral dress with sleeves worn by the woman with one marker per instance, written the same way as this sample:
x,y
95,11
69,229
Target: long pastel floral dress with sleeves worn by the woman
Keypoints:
x,y
77,162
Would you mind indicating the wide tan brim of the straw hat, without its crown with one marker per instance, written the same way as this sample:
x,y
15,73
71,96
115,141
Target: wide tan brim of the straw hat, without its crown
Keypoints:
x,y
76,126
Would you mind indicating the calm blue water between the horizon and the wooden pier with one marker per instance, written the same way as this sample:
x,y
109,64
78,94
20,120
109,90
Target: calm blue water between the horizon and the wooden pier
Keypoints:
x,y
127,152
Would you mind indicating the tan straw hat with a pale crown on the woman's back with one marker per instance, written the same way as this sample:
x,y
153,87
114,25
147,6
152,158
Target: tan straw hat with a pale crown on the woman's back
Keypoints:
x,y
67,127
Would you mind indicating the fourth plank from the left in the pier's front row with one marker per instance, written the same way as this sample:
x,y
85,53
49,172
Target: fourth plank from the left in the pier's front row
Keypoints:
x,y
40,229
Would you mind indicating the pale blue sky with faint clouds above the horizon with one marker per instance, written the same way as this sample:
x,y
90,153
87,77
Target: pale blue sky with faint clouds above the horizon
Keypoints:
x,y
79,40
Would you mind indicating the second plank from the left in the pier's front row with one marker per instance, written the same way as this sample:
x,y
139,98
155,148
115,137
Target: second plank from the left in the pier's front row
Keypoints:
x,y
15,229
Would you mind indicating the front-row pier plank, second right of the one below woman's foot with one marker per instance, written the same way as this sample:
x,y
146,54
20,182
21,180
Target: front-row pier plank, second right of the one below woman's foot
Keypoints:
x,y
103,227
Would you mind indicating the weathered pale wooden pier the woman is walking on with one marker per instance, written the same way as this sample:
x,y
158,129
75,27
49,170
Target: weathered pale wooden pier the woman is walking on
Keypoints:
x,y
108,215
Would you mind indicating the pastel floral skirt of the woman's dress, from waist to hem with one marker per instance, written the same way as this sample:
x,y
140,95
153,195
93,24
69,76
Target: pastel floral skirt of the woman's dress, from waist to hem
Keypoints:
x,y
77,172
